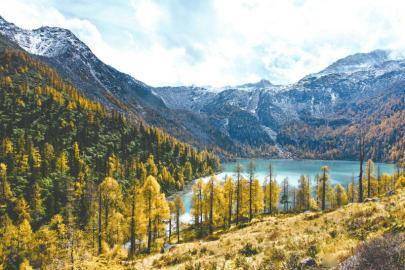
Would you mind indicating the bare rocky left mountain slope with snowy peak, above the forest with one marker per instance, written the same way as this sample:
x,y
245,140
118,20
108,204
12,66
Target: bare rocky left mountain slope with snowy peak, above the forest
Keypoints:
x,y
75,62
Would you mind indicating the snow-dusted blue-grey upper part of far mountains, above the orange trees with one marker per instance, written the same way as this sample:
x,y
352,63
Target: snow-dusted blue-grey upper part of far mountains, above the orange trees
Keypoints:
x,y
267,108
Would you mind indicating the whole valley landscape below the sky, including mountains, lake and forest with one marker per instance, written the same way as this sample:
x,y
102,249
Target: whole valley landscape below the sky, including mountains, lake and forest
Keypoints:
x,y
99,170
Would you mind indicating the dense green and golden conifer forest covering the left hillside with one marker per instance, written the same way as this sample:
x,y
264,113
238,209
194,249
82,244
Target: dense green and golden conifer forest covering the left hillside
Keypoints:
x,y
71,171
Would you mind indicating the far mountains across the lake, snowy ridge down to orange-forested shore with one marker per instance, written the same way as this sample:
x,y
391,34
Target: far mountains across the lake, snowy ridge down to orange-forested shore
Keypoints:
x,y
330,104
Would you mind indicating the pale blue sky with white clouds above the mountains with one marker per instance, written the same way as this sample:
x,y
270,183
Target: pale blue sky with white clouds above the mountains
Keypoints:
x,y
220,42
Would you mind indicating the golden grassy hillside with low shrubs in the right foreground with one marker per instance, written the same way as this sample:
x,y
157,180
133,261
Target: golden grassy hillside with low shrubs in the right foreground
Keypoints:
x,y
284,240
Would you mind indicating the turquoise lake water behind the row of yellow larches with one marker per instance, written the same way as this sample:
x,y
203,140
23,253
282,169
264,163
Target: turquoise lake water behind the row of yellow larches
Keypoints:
x,y
340,172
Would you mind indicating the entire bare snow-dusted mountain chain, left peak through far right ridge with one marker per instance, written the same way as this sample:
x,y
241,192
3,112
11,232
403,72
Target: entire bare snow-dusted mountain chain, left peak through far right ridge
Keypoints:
x,y
250,119
